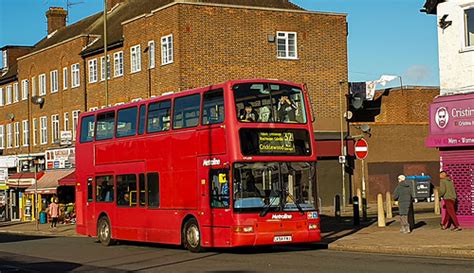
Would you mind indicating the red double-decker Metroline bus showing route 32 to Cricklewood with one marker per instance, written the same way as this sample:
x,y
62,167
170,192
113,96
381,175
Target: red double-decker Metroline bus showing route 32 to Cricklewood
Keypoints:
x,y
226,165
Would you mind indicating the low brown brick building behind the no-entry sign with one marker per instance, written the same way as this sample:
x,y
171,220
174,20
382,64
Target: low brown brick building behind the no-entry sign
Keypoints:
x,y
396,141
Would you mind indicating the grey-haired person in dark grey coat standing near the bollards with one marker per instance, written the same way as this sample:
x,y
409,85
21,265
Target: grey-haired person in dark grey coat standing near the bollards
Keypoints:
x,y
404,195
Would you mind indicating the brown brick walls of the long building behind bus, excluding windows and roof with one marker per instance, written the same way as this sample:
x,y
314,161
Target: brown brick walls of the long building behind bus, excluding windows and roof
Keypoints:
x,y
212,44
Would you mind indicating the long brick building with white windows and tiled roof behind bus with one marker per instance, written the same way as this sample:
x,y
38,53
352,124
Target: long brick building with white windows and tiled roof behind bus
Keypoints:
x,y
159,46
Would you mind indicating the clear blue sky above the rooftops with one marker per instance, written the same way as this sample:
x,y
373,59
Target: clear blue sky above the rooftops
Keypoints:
x,y
386,37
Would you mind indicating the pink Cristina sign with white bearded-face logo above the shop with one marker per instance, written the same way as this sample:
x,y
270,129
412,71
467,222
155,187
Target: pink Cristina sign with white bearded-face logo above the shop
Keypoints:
x,y
452,121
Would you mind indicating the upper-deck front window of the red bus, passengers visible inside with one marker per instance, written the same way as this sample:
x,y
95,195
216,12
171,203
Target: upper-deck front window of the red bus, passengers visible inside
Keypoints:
x,y
269,103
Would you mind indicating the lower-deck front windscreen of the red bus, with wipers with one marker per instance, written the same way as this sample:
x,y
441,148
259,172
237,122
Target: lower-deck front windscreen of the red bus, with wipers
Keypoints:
x,y
274,186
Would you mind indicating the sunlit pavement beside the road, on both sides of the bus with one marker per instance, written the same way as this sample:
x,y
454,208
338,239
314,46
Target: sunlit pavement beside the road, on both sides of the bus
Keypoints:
x,y
427,239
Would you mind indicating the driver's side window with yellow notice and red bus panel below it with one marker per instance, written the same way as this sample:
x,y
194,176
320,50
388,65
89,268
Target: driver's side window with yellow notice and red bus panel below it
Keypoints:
x,y
220,199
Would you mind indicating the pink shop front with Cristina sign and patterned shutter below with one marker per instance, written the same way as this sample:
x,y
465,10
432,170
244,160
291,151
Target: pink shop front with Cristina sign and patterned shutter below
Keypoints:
x,y
452,132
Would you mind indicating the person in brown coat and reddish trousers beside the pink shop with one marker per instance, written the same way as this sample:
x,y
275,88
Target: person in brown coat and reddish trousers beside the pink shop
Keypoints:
x,y
448,193
